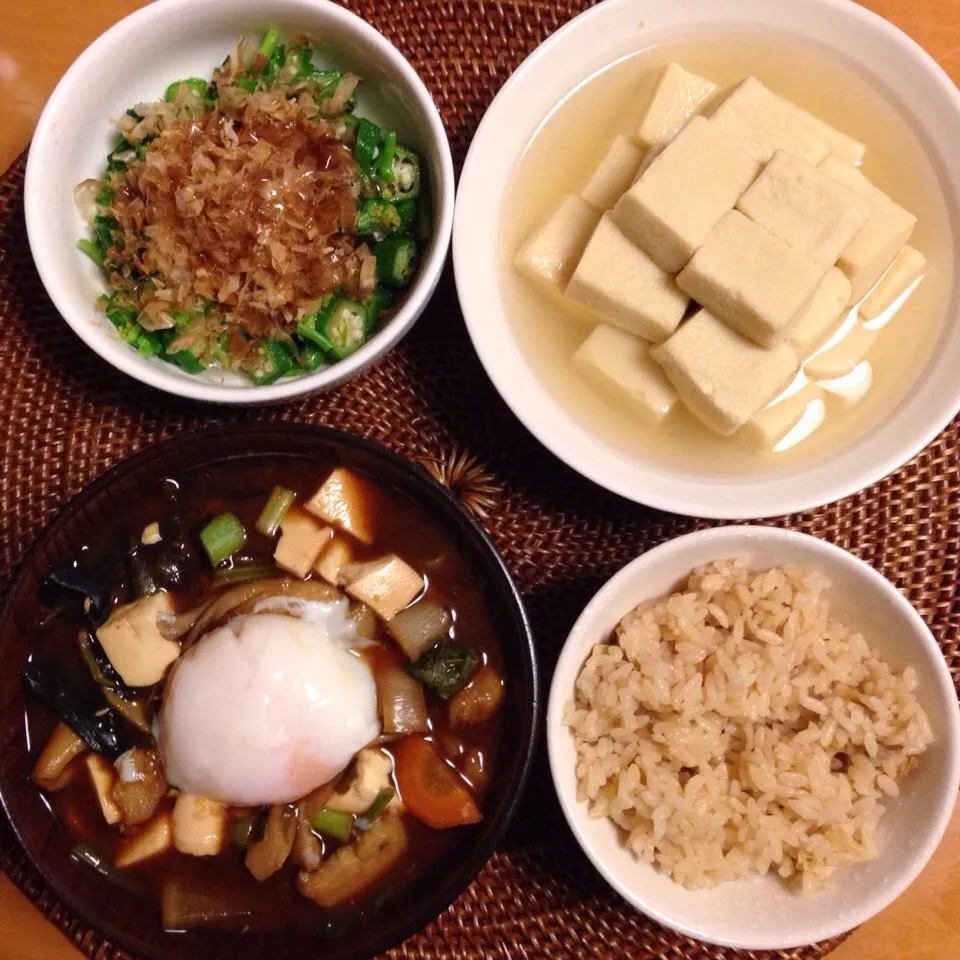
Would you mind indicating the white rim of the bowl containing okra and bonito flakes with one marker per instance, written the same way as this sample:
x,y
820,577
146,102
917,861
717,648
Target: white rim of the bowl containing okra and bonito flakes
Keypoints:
x,y
400,324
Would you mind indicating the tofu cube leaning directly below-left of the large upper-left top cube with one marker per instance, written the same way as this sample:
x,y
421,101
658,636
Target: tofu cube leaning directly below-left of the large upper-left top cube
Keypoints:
x,y
620,283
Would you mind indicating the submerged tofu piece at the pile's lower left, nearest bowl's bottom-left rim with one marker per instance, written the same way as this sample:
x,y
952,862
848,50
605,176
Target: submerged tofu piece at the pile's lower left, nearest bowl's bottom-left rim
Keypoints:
x,y
621,364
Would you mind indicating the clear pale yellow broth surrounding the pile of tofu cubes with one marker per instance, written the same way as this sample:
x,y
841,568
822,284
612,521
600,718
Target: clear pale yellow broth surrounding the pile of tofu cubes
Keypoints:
x,y
570,143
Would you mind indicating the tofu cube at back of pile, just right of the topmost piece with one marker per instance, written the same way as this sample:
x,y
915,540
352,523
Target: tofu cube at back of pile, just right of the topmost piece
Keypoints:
x,y
762,123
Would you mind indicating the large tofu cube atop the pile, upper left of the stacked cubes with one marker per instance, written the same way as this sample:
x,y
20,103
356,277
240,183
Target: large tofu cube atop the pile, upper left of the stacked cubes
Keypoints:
x,y
696,180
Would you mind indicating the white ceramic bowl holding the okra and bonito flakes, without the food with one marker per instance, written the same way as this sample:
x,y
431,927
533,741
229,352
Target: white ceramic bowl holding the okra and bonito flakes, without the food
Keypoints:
x,y
133,62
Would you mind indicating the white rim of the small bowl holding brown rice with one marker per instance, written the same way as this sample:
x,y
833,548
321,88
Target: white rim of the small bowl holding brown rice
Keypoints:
x,y
574,652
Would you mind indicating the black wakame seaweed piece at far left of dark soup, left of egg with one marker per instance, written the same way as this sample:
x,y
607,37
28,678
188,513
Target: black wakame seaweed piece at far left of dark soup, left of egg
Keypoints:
x,y
80,706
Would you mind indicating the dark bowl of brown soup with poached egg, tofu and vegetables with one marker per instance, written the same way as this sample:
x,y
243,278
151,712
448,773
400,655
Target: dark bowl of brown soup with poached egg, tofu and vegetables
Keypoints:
x,y
257,693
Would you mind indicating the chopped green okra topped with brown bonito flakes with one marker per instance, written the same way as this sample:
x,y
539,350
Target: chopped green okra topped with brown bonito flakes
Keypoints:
x,y
254,222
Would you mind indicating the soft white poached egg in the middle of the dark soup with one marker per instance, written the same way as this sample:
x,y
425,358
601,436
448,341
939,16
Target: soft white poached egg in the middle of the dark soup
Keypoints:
x,y
269,706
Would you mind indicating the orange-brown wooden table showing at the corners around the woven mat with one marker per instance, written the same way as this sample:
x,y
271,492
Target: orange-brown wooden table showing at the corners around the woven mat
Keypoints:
x,y
39,40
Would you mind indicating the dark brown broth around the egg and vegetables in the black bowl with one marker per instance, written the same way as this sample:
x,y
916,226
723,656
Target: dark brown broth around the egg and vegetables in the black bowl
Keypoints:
x,y
241,488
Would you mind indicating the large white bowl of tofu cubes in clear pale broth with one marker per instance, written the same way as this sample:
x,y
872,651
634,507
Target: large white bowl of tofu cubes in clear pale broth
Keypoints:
x,y
705,251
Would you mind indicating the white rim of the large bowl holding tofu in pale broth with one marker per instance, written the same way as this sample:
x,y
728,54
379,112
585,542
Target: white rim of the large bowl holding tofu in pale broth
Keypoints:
x,y
583,461
